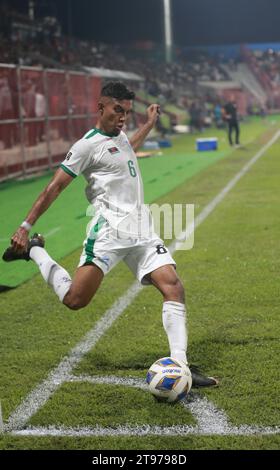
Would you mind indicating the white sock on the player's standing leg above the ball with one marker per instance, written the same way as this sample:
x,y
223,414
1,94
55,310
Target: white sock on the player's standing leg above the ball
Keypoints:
x,y
174,322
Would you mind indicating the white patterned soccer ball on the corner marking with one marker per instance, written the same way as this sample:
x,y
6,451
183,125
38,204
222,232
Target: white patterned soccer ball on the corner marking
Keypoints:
x,y
169,380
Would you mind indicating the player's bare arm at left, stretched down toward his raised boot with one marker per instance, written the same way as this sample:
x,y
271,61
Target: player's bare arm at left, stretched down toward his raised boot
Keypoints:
x,y
59,182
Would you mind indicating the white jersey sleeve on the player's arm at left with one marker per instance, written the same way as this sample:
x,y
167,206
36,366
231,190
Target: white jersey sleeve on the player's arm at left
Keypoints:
x,y
77,159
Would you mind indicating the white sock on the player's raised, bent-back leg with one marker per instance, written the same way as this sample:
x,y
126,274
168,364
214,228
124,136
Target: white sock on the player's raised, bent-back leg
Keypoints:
x,y
56,276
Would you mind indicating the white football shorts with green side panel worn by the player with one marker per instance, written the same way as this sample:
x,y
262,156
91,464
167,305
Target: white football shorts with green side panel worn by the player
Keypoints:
x,y
105,248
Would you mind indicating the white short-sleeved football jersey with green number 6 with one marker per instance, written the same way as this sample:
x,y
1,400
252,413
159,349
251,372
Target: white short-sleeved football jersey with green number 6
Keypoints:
x,y
110,167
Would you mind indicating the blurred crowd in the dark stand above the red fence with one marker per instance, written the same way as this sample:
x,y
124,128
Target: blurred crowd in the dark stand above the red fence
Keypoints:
x,y
40,43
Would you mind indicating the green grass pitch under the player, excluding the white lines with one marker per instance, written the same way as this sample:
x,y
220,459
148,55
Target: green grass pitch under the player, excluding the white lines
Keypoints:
x,y
232,283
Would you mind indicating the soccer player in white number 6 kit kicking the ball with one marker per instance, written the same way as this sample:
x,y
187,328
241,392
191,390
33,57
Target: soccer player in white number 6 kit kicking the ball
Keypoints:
x,y
107,160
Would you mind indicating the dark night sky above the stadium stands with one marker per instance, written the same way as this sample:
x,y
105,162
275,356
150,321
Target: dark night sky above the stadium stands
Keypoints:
x,y
195,22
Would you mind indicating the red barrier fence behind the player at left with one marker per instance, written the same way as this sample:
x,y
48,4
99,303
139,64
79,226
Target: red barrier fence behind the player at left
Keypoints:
x,y
42,112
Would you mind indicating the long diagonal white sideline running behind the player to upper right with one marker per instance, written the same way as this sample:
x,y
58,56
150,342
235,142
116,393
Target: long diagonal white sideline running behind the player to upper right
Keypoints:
x,y
39,396
